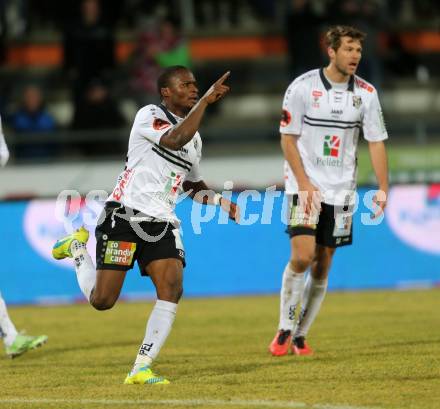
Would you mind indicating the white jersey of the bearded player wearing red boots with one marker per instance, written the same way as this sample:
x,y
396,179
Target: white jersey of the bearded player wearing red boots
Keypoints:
x,y
328,118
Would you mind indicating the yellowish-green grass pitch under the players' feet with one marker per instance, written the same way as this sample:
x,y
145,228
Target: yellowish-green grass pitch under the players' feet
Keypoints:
x,y
372,350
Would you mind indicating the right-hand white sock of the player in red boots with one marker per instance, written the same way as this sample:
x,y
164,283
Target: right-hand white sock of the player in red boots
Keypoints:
x,y
314,293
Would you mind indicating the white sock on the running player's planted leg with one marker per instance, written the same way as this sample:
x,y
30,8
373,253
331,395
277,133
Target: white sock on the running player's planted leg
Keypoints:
x,y
158,327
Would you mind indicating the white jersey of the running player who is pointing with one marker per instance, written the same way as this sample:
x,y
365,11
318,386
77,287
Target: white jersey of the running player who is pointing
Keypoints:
x,y
152,179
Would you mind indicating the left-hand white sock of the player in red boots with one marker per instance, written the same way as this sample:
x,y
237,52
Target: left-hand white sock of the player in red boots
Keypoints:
x,y
290,295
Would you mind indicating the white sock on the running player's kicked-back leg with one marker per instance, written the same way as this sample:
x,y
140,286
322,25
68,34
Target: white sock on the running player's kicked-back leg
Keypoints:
x,y
84,267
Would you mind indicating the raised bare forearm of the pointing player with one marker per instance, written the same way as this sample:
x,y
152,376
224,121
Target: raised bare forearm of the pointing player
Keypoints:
x,y
182,133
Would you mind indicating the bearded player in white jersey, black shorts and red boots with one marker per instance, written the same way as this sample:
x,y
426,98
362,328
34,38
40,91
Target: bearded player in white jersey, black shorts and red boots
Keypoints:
x,y
324,111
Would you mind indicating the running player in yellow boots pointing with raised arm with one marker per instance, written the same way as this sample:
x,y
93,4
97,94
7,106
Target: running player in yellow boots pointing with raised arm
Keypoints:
x,y
140,224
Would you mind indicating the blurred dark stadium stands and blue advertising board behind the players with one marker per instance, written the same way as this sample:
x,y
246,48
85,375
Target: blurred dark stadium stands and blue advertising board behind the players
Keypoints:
x,y
74,74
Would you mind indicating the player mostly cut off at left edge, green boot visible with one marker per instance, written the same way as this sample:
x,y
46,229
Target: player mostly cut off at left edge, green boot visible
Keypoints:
x,y
15,343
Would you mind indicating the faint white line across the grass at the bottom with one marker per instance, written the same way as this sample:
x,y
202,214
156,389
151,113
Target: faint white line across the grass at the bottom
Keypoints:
x,y
188,402
